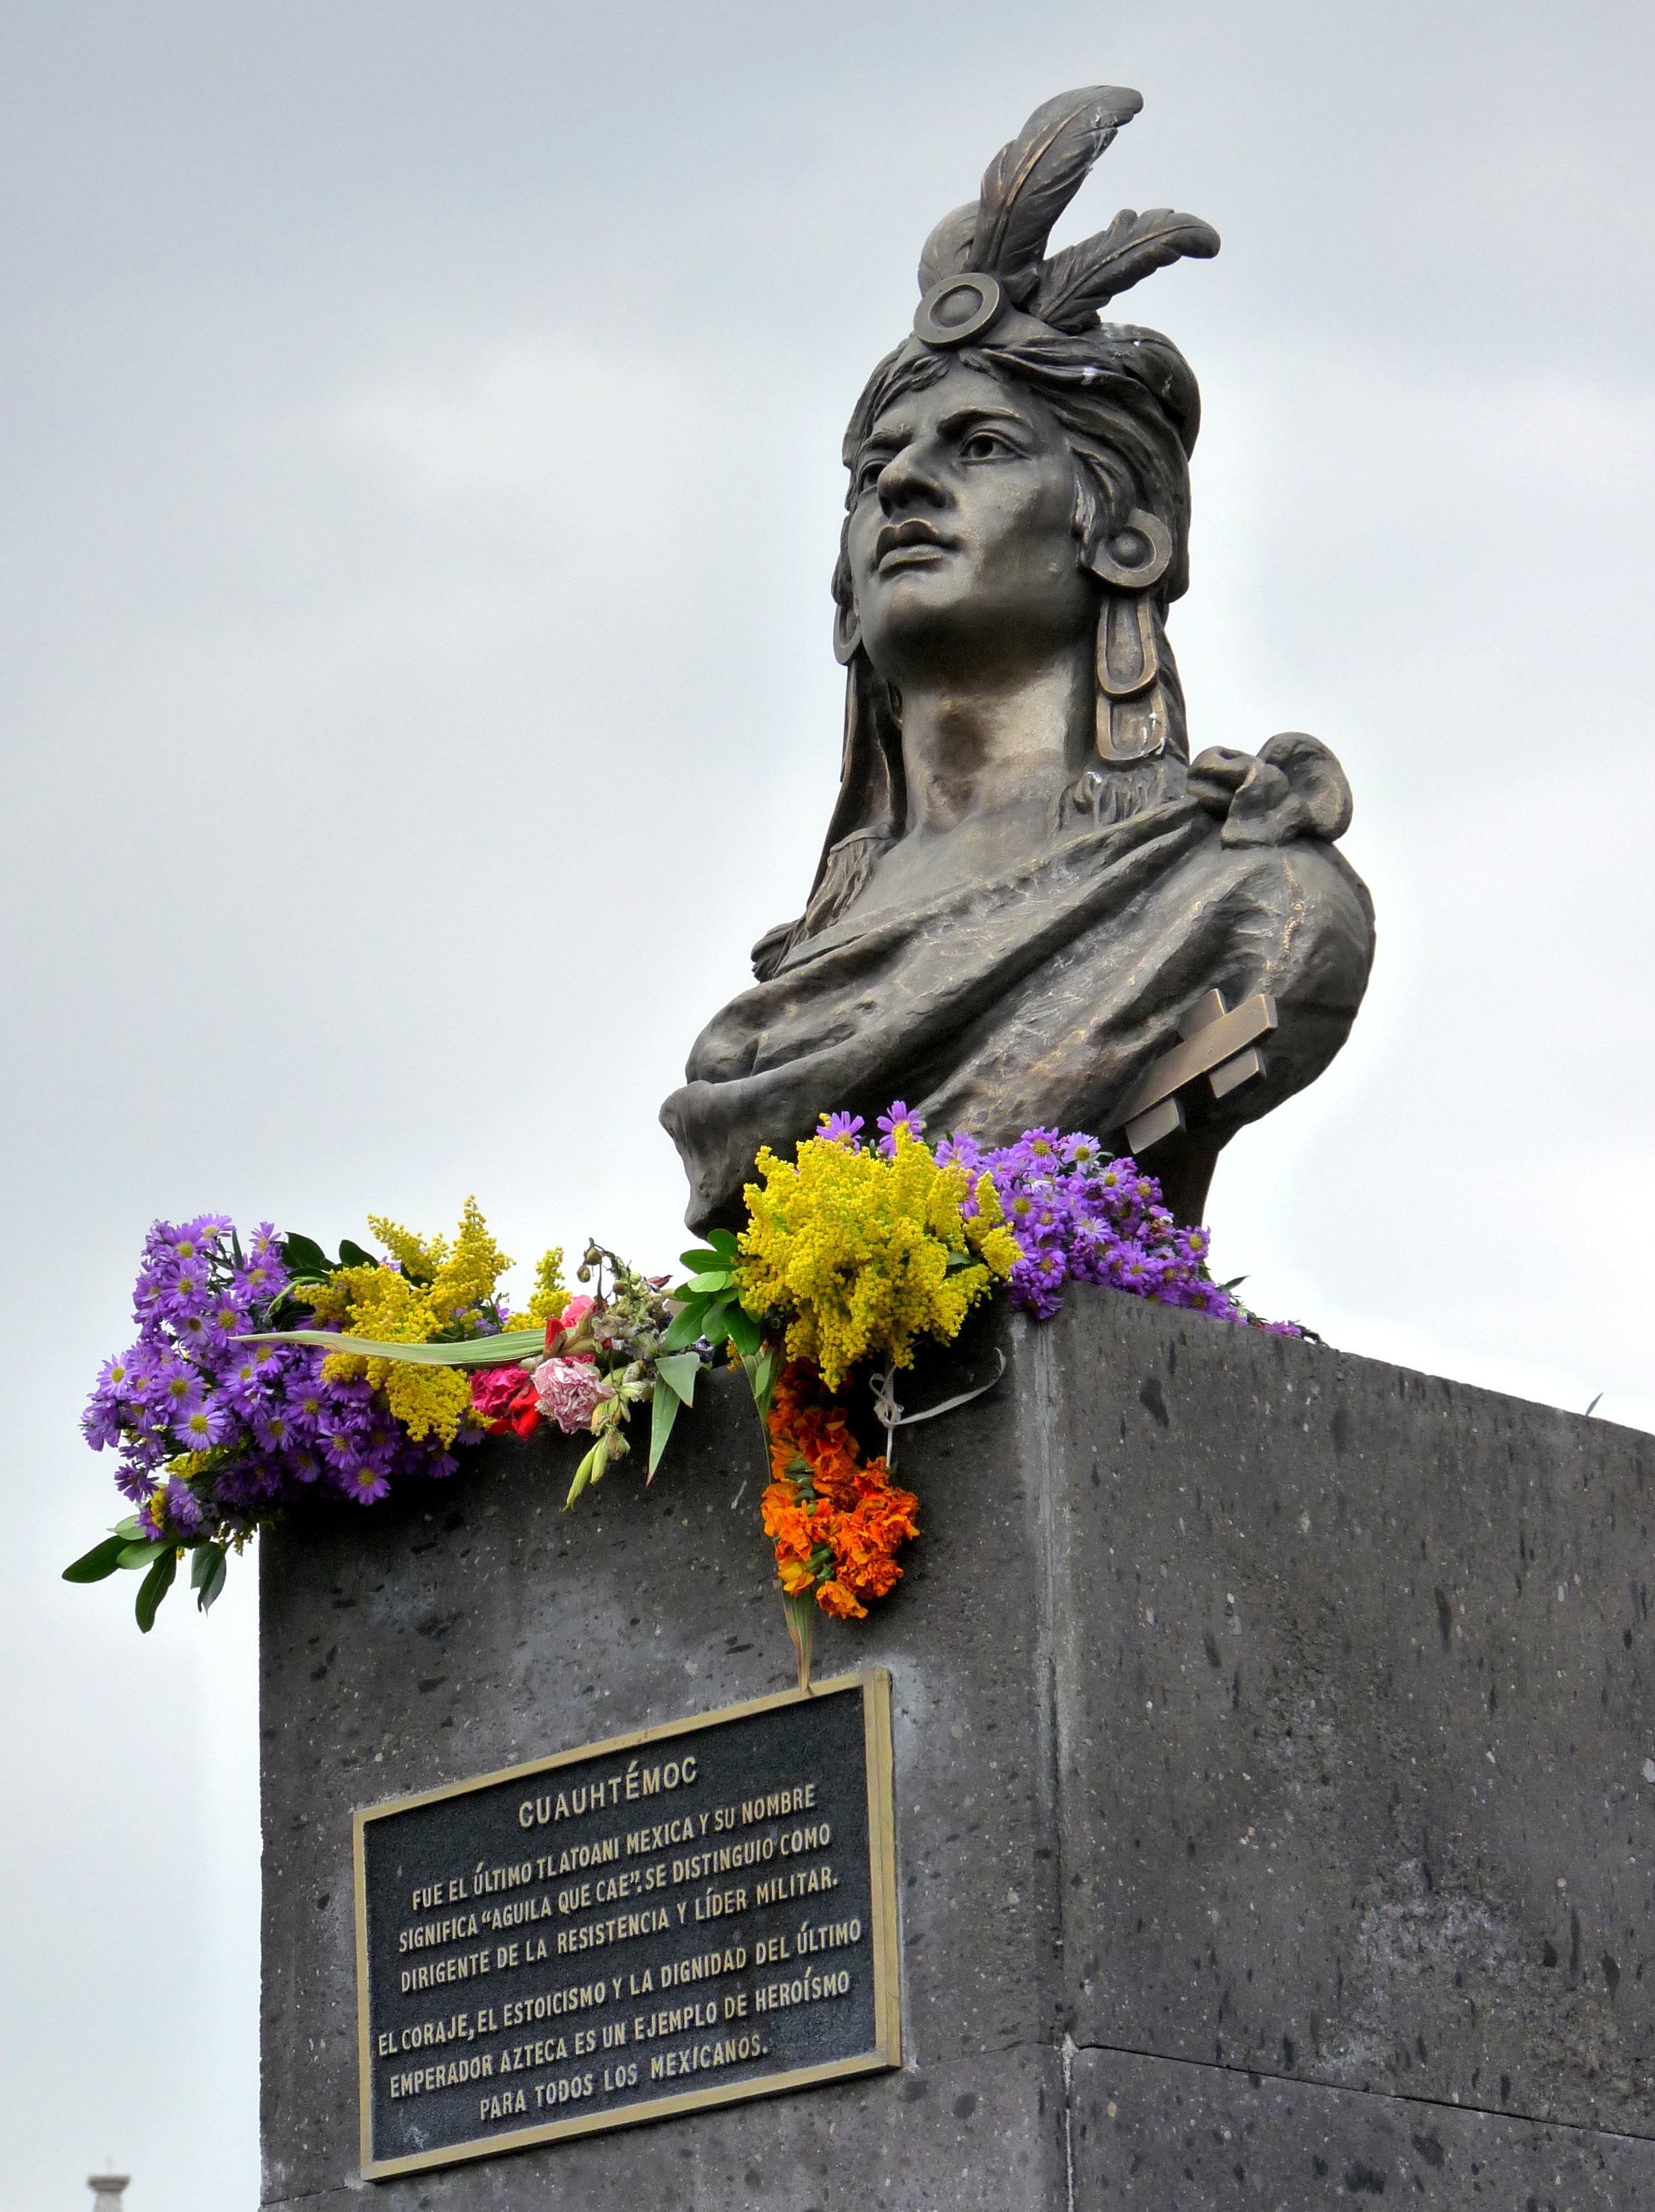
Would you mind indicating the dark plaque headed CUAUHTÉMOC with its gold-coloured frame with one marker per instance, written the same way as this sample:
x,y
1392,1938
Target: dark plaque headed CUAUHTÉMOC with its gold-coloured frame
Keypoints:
x,y
676,1919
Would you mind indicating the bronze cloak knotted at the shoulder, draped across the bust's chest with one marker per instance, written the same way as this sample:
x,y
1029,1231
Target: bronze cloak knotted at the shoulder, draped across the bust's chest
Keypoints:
x,y
1043,994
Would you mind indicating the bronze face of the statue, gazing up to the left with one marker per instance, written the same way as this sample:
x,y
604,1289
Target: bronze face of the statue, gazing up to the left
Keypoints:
x,y
961,534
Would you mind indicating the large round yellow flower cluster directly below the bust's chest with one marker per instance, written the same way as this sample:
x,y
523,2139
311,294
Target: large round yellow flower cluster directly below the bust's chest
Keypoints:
x,y
866,1255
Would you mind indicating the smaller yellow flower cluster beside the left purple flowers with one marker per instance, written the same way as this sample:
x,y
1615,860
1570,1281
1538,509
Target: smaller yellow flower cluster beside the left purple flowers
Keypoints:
x,y
435,1284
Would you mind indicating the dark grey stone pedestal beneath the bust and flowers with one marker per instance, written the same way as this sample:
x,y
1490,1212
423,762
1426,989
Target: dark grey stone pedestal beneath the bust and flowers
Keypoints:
x,y
1271,1773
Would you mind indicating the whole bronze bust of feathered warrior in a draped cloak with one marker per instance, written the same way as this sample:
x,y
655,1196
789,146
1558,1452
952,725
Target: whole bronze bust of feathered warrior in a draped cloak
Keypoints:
x,y
1032,906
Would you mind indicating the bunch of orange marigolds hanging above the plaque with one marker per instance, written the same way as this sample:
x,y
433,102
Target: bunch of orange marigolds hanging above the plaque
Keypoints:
x,y
833,1516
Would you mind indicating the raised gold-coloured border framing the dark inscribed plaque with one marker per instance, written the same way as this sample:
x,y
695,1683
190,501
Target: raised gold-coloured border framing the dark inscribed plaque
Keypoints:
x,y
884,1941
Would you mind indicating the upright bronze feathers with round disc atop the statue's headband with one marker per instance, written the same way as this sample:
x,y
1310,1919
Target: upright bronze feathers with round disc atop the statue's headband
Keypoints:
x,y
992,253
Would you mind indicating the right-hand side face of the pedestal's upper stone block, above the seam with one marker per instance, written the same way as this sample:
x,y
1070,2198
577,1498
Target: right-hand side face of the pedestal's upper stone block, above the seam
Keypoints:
x,y
1353,1704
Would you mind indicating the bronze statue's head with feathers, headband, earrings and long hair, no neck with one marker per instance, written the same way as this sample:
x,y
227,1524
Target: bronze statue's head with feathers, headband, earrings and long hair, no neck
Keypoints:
x,y
1019,466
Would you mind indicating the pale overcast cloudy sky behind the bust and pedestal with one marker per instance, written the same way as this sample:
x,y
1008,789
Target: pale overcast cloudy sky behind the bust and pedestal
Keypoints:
x,y
419,444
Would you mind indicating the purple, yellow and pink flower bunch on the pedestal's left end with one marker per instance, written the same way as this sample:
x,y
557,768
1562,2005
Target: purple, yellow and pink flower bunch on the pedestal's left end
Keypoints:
x,y
225,1415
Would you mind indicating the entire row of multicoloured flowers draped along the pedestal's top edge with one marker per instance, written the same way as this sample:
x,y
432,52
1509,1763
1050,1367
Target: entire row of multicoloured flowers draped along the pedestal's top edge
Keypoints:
x,y
271,1375
